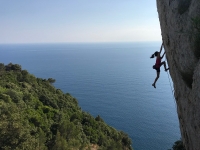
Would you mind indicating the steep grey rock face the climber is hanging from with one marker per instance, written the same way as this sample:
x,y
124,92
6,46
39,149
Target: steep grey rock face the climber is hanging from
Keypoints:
x,y
180,27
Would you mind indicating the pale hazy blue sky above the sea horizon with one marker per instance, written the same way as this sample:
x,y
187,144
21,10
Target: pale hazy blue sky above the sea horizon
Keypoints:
x,y
44,21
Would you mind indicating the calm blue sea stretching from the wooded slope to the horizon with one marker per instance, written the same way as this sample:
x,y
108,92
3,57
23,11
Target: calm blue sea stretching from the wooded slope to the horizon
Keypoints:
x,y
112,80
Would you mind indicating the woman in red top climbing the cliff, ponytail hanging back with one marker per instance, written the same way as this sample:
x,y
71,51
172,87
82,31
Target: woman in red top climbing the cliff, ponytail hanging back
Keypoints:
x,y
158,64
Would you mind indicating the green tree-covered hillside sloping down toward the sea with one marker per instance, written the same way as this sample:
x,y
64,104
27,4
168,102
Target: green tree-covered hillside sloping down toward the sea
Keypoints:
x,y
34,115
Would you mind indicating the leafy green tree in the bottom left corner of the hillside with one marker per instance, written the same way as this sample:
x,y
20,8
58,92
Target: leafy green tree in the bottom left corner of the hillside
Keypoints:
x,y
14,130
